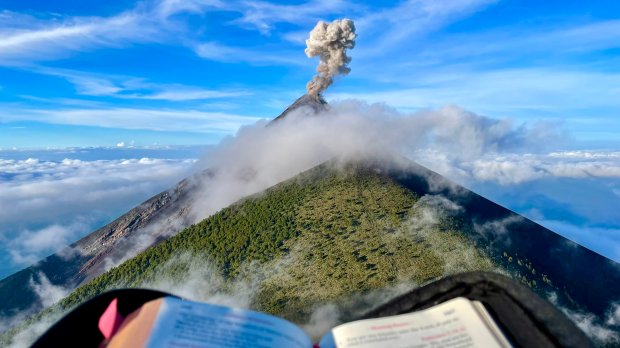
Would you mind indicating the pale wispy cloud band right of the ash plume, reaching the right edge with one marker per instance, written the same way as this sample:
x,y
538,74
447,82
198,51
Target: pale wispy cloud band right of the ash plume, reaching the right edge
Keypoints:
x,y
526,91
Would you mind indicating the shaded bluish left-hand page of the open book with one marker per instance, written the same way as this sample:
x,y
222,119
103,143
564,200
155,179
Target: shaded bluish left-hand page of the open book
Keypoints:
x,y
191,324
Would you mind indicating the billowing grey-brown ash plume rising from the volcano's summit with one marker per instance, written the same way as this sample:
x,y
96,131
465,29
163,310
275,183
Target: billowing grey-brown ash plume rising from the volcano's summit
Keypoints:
x,y
330,41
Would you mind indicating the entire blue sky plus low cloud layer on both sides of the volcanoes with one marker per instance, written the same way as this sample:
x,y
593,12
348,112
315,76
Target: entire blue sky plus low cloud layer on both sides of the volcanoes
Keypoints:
x,y
127,93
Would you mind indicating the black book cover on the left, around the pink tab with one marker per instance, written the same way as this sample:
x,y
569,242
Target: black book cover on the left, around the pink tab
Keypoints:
x,y
80,328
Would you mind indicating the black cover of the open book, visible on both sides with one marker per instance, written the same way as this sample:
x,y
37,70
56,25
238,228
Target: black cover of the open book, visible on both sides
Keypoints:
x,y
526,319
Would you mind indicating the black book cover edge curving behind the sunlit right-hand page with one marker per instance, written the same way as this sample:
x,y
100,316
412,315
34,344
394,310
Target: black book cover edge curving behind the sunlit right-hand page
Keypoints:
x,y
526,319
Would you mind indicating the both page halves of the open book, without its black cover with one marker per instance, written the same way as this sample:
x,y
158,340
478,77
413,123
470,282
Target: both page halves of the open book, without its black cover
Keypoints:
x,y
174,323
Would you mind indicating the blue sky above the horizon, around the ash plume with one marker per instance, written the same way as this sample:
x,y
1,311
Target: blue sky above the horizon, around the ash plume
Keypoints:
x,y
93,73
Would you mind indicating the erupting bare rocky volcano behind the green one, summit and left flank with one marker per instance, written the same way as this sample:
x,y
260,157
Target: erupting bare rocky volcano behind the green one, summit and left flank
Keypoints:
x,y
86,258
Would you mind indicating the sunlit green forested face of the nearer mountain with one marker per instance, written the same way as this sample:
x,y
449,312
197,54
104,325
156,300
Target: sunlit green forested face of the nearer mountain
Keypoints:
x,y
343,232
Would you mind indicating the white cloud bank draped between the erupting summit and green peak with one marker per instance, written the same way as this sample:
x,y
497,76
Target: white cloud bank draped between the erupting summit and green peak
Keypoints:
x,y
349,130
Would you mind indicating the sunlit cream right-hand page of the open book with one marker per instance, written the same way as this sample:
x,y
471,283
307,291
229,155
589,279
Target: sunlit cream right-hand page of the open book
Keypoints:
x,y
452,324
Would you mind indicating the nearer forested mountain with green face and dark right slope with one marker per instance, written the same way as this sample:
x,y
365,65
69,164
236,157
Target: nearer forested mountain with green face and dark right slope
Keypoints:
x,y
540,264
